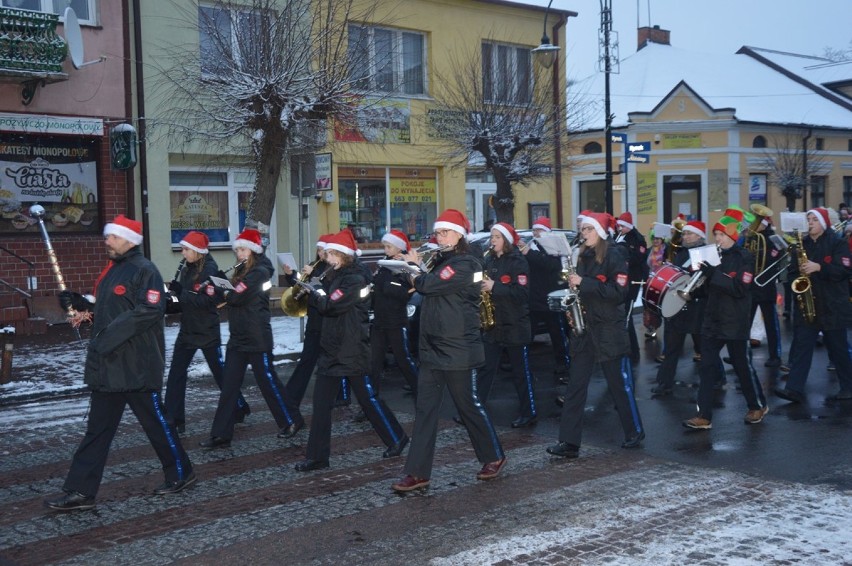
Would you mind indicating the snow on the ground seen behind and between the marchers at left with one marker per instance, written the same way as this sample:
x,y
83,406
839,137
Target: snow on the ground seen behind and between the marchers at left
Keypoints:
x,y
54,369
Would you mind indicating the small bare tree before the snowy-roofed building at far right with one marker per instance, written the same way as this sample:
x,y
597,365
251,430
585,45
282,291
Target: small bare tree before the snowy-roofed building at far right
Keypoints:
x,y
789,160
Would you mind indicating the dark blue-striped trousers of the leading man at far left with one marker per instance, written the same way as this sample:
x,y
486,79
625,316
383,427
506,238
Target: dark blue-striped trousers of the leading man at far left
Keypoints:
x,y
105,412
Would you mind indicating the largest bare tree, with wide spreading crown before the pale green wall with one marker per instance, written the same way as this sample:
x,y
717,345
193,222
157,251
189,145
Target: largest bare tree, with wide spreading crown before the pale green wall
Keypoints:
x,y
264,73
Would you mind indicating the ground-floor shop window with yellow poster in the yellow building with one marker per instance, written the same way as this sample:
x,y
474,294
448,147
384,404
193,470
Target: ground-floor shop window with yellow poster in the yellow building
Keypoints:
x,y
374,200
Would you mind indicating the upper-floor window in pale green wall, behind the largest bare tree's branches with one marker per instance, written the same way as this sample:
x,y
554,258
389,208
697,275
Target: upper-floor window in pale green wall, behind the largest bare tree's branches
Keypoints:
x,y
230,40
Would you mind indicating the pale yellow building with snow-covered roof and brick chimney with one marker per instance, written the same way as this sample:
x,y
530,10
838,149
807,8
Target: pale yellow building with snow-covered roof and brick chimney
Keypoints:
x,y
703,131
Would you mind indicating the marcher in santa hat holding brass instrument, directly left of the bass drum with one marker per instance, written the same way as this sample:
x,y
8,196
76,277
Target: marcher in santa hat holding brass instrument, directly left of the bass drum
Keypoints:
x,y
601,282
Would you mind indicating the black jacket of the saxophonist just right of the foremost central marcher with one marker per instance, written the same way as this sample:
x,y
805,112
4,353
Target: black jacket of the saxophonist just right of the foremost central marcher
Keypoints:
x,y
510,296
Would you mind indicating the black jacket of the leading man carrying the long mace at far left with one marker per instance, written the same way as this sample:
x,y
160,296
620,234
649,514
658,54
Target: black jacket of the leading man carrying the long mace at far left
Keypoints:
x,y
127,349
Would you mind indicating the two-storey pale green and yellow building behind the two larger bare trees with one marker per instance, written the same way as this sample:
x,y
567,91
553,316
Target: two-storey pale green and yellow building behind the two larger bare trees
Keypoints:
x,y
382,174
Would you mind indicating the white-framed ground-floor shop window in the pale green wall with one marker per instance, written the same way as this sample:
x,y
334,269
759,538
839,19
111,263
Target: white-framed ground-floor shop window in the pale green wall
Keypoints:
x,y
209,201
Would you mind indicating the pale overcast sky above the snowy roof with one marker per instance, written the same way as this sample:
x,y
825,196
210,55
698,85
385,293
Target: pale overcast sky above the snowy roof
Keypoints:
x,y
720,26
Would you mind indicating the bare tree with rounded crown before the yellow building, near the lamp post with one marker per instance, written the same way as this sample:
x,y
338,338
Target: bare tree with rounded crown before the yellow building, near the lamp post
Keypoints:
x,y
501,117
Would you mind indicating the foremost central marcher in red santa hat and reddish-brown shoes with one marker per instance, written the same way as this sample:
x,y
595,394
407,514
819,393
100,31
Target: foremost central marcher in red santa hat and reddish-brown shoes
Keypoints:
x,y
450,351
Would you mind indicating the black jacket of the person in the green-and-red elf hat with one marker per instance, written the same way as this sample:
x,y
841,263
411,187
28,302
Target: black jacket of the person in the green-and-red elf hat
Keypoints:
x,y
729,296
